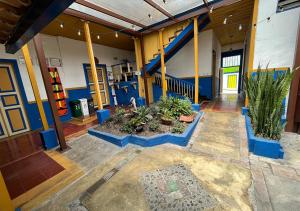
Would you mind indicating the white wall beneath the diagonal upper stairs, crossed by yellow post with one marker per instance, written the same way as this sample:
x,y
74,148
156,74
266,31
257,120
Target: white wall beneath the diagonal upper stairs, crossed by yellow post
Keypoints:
x,y
182,64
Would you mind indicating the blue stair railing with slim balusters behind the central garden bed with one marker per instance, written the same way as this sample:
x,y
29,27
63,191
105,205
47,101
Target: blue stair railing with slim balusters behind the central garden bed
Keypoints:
x,y
176,85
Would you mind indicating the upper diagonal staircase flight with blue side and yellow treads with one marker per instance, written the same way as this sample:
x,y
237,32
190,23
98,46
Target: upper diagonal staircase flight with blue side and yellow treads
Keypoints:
x,y
176,42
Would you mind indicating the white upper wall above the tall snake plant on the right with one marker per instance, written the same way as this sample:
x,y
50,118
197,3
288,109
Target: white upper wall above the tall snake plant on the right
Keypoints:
x,y
275,40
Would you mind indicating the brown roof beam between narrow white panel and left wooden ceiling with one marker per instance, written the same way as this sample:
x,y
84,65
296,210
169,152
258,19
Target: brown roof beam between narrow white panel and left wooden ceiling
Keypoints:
x,y
96,20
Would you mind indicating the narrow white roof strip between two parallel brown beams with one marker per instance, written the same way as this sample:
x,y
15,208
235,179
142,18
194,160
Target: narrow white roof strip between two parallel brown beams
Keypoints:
x,y
102,16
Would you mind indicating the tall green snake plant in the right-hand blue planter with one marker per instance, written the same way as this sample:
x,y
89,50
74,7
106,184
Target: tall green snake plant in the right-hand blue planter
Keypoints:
x,y
266,91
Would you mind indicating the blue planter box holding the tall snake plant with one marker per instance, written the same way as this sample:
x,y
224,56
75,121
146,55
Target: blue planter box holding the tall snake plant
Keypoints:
x,y
261,146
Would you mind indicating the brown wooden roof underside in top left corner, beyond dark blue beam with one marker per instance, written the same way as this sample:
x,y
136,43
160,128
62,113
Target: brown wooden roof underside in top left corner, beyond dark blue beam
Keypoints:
x,y
10,13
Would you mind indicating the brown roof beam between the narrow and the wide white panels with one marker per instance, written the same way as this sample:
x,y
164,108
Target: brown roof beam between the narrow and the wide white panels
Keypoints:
x,y
108,12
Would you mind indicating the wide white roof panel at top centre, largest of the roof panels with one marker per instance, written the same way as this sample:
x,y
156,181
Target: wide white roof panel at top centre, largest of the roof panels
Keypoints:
x,y
136,10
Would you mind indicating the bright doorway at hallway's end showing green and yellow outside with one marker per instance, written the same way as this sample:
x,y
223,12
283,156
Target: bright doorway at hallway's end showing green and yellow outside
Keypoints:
x,y
232,71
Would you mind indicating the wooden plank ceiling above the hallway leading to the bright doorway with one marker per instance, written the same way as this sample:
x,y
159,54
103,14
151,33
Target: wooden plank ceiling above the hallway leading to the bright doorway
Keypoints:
x,y
236,14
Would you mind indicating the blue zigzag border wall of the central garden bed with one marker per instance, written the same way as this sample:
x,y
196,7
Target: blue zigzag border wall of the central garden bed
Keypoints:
x,y
178,139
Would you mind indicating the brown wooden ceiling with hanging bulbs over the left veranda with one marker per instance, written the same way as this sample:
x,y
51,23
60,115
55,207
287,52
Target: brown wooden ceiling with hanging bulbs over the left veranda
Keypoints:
x,y
71,26
